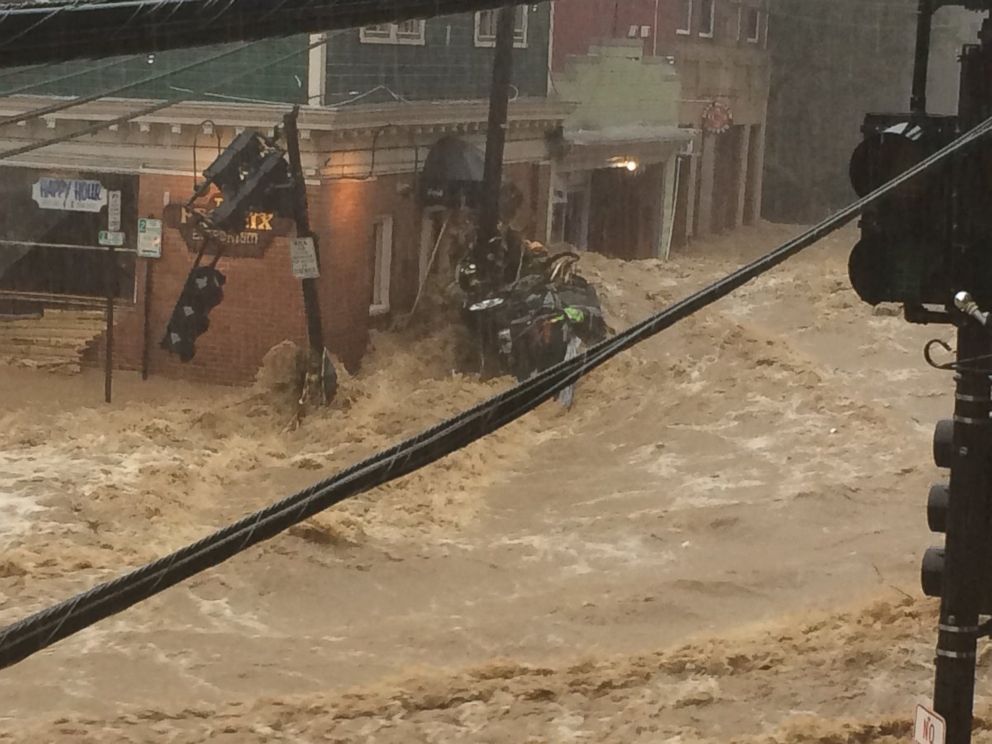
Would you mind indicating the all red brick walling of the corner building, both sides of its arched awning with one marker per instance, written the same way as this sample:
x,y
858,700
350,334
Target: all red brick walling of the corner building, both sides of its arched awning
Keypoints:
x,y
263,302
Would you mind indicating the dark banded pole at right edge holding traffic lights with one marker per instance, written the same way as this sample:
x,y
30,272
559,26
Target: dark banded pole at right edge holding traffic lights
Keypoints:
x,y
967,513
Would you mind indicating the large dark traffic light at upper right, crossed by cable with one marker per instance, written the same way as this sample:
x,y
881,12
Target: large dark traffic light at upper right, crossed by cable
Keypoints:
x,y
905,251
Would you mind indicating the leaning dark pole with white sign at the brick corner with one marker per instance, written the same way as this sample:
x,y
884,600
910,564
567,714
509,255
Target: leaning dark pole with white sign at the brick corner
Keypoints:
x,y
320,383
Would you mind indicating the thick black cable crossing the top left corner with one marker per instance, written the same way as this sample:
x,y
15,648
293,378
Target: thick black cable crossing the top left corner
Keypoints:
x,y
36,32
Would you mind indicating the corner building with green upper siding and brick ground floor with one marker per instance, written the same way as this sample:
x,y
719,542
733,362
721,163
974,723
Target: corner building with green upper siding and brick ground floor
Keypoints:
x,y
380,98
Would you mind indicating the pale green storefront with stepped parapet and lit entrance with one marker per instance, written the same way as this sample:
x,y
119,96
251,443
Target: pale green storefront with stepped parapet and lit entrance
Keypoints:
x,y
615,178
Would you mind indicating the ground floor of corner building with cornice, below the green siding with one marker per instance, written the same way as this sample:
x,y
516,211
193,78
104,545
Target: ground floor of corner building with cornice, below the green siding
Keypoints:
x,y
374,234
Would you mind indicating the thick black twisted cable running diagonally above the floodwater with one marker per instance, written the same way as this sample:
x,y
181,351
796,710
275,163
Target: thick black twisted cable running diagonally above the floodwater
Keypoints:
x,y
44,628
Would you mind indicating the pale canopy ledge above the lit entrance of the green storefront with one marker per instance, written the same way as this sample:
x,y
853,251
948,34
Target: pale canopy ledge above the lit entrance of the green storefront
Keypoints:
x,y
591,149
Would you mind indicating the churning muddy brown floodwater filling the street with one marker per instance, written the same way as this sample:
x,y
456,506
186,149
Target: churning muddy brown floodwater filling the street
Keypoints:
x,y
720,542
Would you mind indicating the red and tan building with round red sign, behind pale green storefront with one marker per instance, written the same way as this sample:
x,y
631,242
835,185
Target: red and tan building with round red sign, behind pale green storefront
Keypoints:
x,y
720,52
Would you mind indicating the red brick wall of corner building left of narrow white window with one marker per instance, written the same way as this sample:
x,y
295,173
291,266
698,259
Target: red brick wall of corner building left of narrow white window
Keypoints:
x,y
262,304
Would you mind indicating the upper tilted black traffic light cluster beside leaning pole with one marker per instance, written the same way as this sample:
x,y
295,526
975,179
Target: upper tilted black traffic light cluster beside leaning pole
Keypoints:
x,y
252,175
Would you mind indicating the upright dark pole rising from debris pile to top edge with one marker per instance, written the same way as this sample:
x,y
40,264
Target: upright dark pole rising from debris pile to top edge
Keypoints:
x,y
499,102
